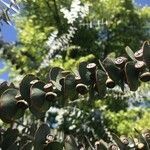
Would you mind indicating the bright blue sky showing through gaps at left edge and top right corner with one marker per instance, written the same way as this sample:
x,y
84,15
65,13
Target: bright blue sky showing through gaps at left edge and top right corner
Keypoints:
x,y
9,34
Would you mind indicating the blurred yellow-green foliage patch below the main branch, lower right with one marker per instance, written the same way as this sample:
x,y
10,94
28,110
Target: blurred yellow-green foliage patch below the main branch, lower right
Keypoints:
x,y
125,122
